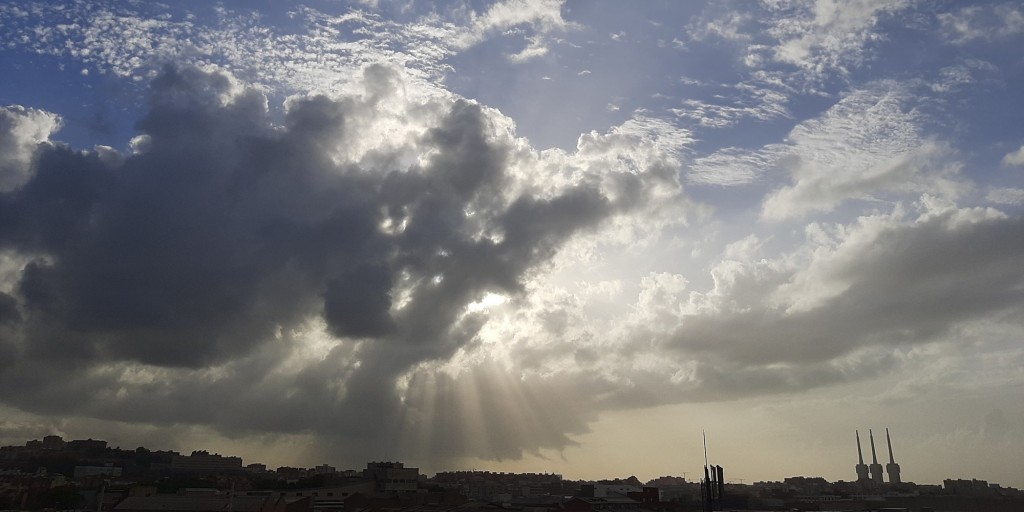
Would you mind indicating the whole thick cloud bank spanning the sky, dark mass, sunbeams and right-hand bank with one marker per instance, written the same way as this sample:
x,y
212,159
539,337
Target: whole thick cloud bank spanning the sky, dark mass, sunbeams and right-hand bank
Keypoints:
x,y
314,278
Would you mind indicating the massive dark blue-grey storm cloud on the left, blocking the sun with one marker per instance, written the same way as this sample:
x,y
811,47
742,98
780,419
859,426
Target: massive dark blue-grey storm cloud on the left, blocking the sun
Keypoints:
x,y
202,252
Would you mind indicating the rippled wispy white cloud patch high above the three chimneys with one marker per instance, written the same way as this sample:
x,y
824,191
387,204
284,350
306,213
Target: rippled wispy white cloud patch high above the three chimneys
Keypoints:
x,y
868,146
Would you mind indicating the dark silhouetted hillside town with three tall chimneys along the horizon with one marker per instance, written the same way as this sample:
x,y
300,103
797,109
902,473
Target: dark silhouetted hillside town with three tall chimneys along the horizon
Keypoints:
x,y
88,475
